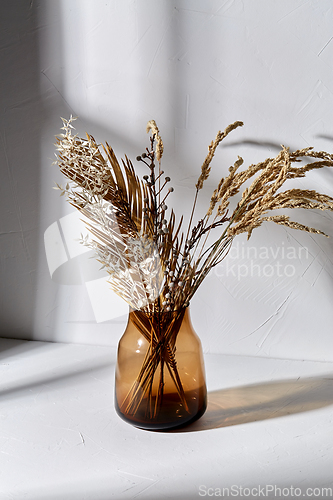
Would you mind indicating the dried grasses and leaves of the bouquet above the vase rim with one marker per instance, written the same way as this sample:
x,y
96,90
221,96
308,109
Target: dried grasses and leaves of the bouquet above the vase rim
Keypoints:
x,y
101,183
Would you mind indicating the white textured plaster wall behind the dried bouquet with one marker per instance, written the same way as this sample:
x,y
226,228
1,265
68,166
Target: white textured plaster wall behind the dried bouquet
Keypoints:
x,y
194,66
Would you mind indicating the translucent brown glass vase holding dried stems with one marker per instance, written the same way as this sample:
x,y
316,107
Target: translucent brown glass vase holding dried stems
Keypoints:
x,y
160,376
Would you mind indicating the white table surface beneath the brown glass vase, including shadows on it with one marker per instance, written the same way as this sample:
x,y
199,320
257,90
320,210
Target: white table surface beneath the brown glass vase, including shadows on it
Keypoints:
x,y
268,424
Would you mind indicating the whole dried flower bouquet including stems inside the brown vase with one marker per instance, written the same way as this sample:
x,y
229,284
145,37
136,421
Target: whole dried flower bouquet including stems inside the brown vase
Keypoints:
x,y
152,264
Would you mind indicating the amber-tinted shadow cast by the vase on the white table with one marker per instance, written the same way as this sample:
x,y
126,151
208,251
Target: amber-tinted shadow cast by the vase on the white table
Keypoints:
x,y
252,403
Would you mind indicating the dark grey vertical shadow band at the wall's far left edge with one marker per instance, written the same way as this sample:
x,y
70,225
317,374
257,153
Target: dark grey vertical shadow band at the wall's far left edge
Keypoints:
x,y
20,125
